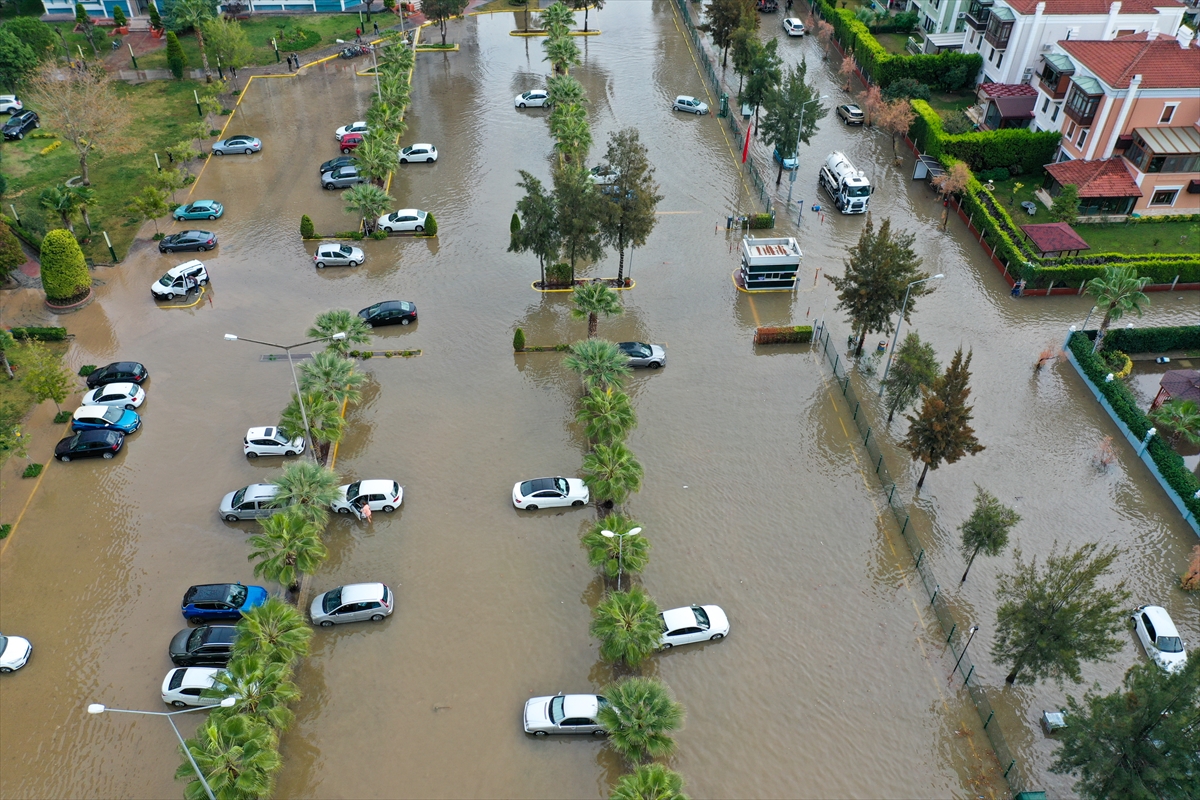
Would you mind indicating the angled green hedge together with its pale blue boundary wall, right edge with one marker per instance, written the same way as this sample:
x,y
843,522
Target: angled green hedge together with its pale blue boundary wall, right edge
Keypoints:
x,y
1178,480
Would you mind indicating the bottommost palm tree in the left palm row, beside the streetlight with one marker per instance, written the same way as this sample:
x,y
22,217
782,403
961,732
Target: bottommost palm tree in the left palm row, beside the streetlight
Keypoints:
x,y
238,757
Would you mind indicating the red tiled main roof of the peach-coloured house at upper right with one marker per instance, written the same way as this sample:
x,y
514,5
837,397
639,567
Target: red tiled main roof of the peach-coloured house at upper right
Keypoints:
x,y
1161,62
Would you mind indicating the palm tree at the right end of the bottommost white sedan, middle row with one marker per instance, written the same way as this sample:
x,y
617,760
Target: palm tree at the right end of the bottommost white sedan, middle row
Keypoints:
x,y
640,717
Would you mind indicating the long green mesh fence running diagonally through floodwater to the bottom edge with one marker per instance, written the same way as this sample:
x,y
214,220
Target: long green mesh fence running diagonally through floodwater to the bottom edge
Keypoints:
x,y
1013,772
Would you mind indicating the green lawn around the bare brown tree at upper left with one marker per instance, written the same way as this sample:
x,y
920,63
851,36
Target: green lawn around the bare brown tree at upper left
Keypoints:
x,y
161,112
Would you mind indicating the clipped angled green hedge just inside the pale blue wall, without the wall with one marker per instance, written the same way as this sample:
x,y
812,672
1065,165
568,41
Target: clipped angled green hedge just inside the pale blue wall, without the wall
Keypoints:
x,y
1169,462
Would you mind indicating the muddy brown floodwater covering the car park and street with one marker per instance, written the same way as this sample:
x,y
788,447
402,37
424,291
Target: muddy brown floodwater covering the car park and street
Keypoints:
x,y
835,681
